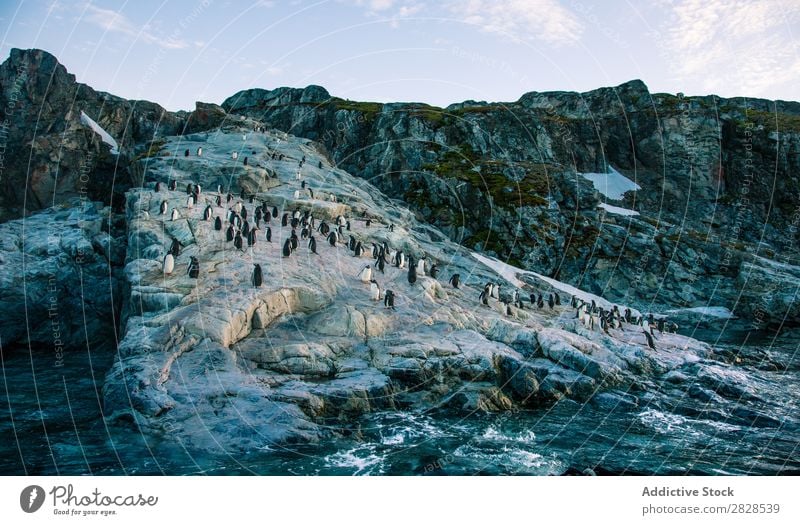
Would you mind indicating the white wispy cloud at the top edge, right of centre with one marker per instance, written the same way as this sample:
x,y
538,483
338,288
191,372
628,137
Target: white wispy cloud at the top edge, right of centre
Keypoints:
x,y
521,20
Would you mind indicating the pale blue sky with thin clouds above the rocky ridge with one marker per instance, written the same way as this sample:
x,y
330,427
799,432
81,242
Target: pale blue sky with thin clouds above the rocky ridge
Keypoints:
x,y
438,52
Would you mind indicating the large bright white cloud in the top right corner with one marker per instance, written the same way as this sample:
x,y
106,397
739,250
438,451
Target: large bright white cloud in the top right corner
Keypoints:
x,y
745,45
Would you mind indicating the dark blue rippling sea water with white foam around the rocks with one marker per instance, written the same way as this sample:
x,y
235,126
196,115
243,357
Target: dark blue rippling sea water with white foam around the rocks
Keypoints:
x,y
52,425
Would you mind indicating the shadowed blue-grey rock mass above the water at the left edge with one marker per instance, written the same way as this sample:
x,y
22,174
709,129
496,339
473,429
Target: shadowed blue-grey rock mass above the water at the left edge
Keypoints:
x,y
61,274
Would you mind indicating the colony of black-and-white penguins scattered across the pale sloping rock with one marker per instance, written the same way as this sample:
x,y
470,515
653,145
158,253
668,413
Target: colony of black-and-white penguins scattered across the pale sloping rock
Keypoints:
x,y
236,219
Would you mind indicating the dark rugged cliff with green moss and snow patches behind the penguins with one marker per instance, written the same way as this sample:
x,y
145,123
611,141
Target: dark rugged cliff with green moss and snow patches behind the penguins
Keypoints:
x,y
720,182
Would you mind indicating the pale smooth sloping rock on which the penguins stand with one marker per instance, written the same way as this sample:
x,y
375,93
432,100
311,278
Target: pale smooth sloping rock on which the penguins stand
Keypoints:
x,y
228,366
